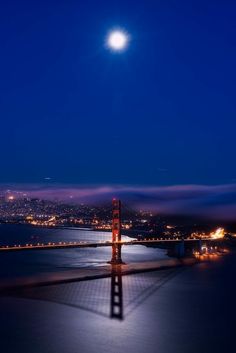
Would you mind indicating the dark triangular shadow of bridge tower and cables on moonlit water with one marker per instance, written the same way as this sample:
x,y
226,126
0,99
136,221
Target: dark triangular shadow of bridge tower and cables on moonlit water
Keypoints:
x,y
114,297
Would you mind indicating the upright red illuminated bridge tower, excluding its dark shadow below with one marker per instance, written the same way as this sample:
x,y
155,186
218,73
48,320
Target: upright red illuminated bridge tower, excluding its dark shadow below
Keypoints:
x,y
116,232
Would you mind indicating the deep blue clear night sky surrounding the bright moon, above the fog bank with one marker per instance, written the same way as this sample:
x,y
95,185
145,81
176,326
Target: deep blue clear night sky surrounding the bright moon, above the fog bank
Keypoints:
x,y
160,113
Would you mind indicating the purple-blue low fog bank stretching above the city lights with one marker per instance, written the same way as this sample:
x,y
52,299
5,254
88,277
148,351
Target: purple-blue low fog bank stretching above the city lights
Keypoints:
x,y
217,202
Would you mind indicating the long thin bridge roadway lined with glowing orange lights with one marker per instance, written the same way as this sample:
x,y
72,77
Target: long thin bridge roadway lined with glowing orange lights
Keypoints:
x,y
73,245
